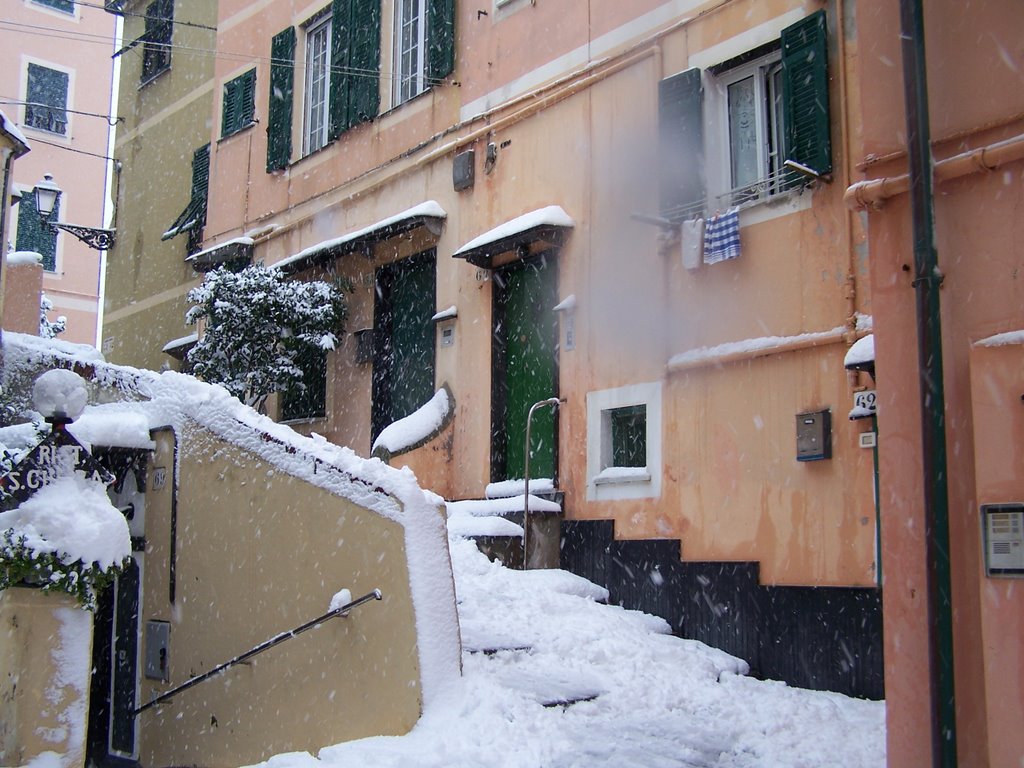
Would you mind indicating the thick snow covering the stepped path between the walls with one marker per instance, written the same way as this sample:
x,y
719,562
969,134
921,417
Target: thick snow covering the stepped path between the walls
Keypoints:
x,y
537,641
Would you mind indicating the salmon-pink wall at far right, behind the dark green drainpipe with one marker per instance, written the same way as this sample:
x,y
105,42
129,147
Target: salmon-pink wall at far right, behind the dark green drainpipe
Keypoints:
x,y
978,231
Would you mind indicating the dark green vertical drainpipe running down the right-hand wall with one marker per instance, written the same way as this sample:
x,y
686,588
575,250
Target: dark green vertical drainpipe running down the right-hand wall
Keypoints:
x,y
927,282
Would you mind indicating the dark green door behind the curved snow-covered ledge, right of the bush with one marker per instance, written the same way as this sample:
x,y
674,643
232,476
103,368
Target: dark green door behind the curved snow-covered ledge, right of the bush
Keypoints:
x,y
404,339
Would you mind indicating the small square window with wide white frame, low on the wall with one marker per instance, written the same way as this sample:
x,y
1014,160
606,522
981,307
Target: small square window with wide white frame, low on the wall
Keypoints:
x,y
624,443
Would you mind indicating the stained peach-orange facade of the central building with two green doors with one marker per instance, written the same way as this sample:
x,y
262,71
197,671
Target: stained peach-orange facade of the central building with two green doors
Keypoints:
x,y
732,487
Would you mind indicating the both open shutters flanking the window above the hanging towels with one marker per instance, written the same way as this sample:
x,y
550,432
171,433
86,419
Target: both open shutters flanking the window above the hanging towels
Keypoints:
x,y
805,95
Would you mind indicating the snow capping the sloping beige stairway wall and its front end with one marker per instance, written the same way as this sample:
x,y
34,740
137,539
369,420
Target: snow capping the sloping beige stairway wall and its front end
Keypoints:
x,y
178,400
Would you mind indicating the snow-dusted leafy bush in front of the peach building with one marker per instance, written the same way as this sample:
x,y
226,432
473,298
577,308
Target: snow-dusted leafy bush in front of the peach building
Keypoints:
x,y
258,325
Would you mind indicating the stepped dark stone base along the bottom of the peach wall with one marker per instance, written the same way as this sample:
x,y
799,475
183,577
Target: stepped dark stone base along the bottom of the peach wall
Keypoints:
x,y
825,638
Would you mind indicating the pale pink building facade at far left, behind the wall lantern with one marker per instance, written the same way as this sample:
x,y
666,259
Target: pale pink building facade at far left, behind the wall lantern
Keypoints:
x,y
56,78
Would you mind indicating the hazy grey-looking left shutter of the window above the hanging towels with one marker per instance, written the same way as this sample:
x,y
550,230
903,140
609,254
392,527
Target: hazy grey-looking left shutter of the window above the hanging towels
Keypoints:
x,y
681,134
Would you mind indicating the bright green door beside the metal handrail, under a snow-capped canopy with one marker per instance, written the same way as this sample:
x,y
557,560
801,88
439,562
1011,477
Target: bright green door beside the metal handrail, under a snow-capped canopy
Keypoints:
x,y
525,369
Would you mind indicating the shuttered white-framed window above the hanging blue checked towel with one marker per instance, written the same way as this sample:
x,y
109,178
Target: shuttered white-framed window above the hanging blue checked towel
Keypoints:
x,y
750,125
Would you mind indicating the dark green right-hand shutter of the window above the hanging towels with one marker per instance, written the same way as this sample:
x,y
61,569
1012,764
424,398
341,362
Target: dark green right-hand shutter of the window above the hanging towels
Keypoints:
x,y
805,93
